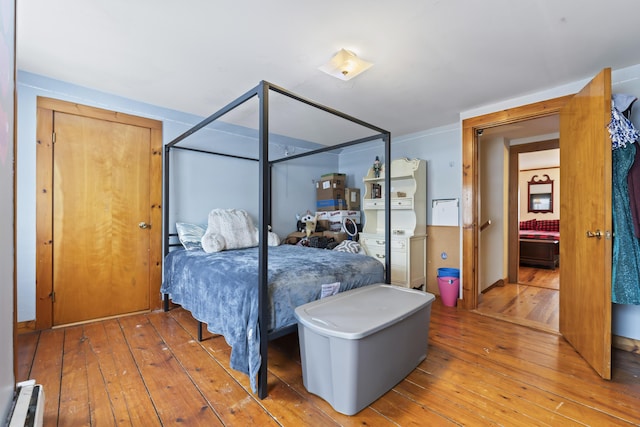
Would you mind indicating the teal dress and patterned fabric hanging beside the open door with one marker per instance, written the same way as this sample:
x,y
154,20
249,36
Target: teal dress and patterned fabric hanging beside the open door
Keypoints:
x,y
625,278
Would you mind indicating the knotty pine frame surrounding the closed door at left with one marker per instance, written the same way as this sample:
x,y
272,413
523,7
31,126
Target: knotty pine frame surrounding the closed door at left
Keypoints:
x,y
44,200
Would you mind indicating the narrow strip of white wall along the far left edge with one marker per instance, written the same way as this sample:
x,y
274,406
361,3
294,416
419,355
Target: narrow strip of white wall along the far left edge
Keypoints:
x,y
7,256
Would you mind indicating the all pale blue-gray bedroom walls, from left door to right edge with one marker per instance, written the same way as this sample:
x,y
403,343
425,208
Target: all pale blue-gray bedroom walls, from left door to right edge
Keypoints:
x,y
295,191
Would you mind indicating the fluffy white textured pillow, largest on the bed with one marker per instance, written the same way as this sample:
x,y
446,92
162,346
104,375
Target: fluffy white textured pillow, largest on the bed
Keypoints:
x,y
234,226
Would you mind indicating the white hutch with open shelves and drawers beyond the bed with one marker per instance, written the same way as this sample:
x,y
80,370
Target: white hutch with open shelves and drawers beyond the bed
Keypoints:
x,y
408,221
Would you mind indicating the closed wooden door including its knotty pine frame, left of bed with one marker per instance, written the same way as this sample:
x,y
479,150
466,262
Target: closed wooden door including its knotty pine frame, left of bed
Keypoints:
x,y
99,226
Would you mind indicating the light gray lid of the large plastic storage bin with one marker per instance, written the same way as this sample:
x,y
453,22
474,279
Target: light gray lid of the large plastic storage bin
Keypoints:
x,y
363,311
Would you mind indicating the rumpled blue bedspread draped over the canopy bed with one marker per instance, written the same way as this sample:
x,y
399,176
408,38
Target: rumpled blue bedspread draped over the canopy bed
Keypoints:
x,y
221,289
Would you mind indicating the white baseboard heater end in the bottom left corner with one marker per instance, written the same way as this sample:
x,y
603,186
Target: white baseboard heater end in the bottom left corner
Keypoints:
x,y
28,405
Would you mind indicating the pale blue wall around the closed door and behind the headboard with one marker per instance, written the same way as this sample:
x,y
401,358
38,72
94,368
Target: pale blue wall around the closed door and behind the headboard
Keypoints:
x,y
206,182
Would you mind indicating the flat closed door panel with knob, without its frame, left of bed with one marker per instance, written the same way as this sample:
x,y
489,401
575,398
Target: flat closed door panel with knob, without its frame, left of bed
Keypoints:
x,y
101,187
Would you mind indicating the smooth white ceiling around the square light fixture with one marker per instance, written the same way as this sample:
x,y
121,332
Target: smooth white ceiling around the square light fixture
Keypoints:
x,y
433,58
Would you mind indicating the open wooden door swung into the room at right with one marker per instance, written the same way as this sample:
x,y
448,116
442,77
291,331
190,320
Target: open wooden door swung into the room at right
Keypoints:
x,y
585,206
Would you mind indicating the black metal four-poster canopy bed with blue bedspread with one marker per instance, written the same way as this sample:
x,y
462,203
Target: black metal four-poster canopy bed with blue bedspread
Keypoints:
x,y
264,292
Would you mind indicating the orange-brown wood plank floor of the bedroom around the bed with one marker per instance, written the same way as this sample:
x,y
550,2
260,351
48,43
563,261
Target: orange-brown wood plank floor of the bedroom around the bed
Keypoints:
x,y
149,369
